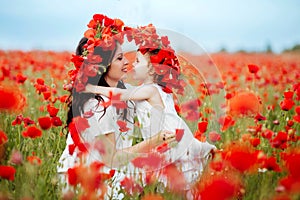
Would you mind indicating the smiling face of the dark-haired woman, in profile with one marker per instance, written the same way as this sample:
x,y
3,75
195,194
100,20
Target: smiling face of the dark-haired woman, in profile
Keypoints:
x,y
118,67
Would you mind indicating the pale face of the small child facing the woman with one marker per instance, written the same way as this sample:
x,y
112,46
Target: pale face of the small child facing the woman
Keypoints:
x,y
141,67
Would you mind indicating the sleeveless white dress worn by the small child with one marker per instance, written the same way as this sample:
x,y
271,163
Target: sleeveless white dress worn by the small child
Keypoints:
x,y
190,153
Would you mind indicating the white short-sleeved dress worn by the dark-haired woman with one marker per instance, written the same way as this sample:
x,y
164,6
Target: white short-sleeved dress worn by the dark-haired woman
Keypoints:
x,y
107,124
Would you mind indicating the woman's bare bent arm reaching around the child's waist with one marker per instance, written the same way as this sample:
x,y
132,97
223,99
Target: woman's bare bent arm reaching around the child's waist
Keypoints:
x,y
113,157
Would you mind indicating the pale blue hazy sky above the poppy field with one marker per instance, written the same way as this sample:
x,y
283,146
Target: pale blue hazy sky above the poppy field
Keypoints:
x,y
249,25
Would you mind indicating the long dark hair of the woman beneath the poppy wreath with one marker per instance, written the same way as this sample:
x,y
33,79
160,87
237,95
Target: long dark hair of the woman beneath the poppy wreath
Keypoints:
x,y
77,100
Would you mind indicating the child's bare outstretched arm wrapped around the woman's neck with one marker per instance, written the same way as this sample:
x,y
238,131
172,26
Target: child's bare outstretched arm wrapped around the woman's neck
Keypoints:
x,y
135,93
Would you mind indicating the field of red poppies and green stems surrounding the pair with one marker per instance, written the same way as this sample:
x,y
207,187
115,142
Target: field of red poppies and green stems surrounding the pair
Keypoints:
x,y
257,137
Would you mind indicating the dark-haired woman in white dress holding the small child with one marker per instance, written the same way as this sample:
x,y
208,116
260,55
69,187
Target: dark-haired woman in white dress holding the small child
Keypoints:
x,y
116,145
